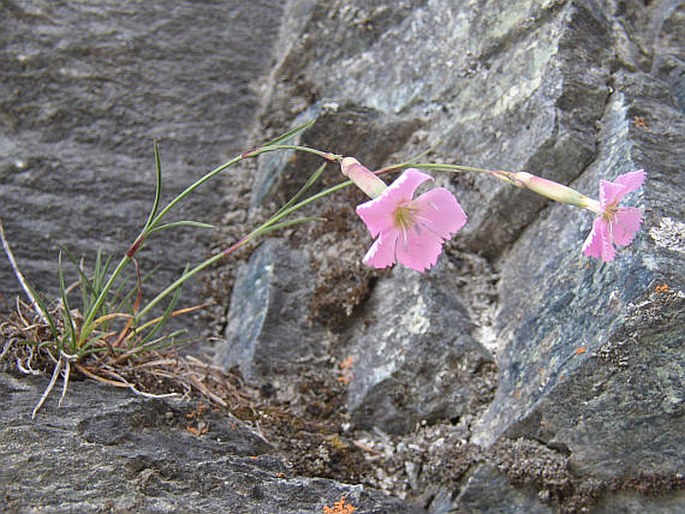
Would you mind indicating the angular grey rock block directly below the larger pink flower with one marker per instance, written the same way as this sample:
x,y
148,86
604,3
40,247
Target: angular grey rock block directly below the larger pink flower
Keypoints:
x,y
413,355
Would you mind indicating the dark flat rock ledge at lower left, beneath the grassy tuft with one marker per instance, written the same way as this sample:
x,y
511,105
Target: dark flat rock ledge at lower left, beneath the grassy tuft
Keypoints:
x,y
105,449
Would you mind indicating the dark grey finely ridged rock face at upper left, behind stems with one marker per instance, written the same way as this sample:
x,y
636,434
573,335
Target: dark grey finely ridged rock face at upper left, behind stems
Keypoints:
x,y
85,91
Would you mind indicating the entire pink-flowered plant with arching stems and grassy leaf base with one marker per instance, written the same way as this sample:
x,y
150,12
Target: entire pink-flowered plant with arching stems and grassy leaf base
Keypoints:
x,y
408,229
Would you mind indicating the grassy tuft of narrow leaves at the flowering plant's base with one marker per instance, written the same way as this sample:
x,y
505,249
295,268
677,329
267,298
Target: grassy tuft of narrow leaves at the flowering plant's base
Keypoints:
x,y
117,350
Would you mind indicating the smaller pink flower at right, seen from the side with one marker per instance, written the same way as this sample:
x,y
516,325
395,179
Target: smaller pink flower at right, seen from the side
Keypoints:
x,y
615,225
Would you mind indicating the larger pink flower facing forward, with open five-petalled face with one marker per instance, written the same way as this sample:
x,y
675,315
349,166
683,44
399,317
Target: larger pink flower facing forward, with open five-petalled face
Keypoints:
x,y
410,231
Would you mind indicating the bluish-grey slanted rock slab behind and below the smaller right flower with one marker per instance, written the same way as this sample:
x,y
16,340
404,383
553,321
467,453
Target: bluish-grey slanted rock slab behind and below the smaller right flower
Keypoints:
x,y
594,363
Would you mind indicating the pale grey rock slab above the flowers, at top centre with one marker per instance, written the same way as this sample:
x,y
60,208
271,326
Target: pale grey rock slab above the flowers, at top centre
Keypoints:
x,y
523,91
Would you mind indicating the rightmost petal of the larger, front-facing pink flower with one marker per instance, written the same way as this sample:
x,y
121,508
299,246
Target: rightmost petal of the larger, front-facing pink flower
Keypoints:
x,y
440,211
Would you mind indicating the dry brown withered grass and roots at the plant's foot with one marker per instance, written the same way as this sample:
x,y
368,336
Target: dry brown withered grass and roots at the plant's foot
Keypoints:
x,y
149,372
